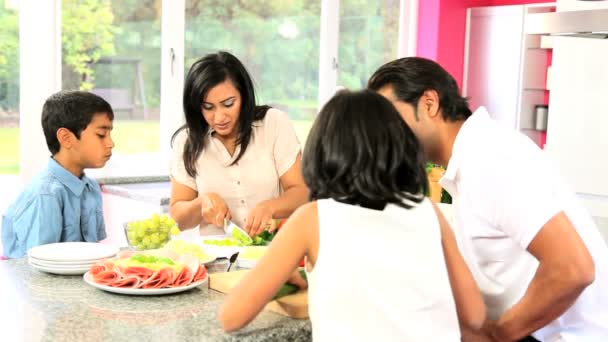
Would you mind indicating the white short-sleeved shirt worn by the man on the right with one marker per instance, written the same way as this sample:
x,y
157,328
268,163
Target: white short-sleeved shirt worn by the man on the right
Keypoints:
x,y
504,190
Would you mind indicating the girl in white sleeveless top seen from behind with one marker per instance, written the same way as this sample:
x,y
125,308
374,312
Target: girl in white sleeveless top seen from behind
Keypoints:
x,y
382,261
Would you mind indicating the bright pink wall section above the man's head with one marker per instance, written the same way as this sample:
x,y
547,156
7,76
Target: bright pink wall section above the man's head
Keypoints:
x,y
441,30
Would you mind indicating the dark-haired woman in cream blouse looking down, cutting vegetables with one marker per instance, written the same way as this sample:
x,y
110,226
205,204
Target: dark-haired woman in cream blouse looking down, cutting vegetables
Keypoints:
x,y
232,158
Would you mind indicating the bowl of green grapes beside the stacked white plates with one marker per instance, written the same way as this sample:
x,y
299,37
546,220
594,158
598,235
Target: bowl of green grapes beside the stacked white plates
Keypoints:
x,y
150,233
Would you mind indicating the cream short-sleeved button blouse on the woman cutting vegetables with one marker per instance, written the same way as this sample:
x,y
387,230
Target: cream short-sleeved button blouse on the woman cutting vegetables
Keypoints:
x,y
271,152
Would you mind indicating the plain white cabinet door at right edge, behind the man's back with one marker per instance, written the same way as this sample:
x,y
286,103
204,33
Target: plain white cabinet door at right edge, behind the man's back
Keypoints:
x,y
578,115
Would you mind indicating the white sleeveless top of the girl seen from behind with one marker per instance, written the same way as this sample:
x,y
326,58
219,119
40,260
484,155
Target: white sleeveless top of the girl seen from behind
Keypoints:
x,y
380,276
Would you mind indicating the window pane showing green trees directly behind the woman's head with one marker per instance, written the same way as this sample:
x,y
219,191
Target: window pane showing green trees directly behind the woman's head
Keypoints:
x,y
277,41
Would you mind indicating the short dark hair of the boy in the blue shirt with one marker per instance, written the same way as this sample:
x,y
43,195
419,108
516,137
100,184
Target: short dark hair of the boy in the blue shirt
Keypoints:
x,y
72,110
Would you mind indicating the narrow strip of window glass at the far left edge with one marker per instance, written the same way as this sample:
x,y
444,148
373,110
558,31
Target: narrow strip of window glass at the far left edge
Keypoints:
x,y
9,87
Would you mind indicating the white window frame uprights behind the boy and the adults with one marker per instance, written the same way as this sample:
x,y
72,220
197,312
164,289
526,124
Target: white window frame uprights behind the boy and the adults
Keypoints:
x,y
40,77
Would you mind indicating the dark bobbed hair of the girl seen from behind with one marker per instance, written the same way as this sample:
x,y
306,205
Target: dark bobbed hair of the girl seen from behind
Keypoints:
x,y
360,151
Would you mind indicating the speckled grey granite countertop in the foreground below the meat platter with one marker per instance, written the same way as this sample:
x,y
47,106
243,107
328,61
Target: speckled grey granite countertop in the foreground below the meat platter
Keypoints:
x,y
37,306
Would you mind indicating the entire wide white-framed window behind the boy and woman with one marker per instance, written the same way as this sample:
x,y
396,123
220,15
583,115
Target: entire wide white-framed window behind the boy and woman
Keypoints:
x,y
296,51
